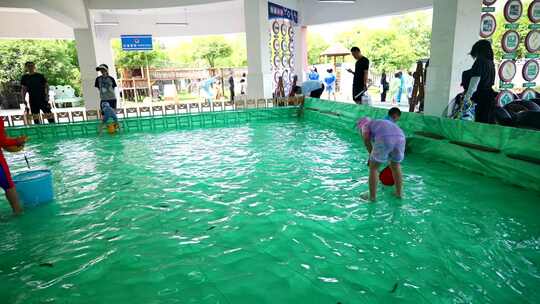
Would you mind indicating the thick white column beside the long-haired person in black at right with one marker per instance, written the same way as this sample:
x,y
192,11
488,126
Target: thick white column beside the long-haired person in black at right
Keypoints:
x,y
456,24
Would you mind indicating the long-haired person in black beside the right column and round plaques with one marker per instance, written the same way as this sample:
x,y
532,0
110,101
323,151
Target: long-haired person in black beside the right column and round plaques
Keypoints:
x,y
479,90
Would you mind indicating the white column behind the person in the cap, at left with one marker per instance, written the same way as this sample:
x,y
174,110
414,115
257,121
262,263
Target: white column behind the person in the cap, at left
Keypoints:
x,y
87,63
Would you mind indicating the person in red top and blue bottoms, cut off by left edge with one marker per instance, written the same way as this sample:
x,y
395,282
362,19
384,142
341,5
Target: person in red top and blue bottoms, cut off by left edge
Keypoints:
x,y
5,176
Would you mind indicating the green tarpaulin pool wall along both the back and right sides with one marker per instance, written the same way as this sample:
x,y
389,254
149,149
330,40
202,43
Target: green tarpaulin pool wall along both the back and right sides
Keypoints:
x,y
510,154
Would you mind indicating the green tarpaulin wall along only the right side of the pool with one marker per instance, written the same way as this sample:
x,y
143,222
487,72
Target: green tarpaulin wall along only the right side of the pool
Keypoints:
x,y
510,154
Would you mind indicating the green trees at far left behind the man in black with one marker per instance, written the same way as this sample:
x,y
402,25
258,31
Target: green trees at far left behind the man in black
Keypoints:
x,y
56,59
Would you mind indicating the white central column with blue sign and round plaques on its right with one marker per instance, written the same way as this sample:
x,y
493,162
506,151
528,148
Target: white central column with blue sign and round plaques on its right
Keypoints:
x,y
257,38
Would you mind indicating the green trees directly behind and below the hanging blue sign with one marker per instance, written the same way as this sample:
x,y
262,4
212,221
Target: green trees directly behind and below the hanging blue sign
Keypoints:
x,y
132,59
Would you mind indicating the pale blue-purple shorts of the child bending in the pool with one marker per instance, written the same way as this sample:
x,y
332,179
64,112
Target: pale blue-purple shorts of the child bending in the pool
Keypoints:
x,y
388,148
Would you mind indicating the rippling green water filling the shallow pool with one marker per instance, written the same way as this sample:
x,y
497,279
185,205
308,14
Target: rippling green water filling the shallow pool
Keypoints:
x,y
262,213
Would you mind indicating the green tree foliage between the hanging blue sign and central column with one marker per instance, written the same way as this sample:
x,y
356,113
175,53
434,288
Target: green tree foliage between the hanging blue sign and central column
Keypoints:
x,y
211,49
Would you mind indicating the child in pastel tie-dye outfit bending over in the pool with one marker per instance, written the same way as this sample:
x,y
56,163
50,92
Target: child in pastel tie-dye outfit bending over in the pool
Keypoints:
x,y
385,142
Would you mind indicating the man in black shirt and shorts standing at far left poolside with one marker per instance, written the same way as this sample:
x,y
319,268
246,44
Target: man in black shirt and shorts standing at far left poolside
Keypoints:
x,y
35,84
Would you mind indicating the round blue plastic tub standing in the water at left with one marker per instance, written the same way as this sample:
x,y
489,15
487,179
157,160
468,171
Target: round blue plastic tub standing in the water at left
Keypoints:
x,y
34,187
